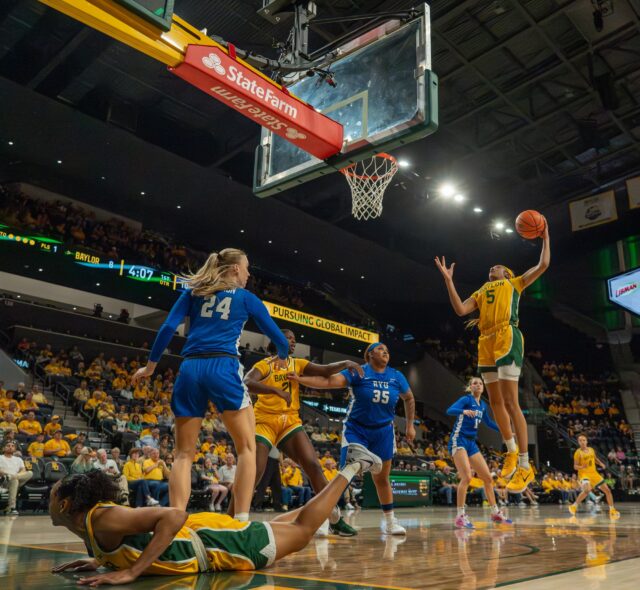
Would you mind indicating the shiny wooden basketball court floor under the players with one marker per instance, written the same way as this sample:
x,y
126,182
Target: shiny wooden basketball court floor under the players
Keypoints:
x,y
545,548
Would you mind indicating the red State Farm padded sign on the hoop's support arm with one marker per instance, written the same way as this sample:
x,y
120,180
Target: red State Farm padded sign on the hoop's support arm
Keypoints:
x,y
260,99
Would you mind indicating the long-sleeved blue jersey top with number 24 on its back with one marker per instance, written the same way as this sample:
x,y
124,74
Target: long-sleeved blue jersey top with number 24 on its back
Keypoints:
x,y
216,323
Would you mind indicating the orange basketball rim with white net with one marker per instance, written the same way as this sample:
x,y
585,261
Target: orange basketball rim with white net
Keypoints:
x,y
368,180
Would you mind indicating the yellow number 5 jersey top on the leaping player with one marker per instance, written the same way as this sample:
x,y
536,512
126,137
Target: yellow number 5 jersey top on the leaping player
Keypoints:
x,y
498,303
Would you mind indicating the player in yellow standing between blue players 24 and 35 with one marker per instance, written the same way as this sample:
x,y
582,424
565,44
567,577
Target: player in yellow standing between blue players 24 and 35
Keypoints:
x,y
278,420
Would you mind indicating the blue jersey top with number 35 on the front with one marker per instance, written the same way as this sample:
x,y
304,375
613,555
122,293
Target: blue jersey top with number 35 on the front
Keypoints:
x,y
374,396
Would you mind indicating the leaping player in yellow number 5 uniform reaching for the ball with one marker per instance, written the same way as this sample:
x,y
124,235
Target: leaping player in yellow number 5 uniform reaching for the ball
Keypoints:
x,y
501,353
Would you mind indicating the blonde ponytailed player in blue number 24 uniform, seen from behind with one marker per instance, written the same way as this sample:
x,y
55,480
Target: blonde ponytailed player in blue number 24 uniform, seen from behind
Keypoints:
x,y
217,306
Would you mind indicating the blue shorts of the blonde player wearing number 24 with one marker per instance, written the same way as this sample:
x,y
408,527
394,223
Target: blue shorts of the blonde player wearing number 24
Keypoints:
x,y
201,380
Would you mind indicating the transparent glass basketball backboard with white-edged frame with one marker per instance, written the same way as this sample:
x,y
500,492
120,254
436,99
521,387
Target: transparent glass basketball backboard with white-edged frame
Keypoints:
x,y
385,95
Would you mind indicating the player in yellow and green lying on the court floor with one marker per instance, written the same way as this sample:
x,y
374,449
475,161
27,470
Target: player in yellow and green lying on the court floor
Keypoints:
x,y
168,541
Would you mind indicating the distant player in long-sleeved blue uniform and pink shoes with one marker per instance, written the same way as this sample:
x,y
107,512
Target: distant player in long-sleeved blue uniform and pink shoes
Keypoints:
x,y
471,411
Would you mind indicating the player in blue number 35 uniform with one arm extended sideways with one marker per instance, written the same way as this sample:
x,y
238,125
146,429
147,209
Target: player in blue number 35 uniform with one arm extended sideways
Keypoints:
x,y
369,420
